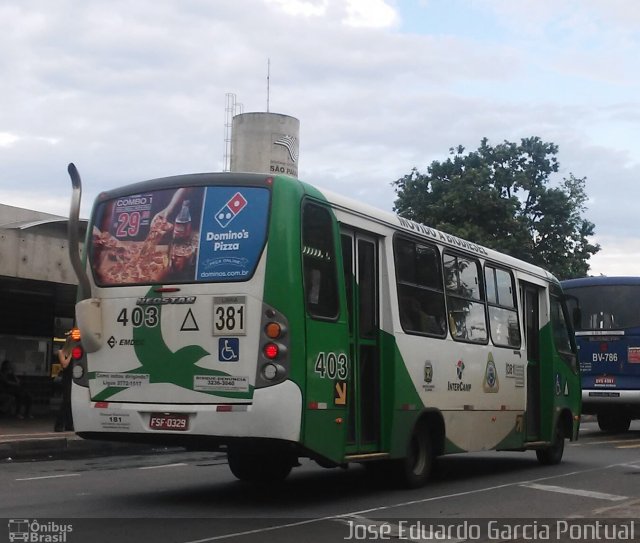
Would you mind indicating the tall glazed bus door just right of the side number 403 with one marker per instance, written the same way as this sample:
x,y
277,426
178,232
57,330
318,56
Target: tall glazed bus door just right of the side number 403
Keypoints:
x,y
361,275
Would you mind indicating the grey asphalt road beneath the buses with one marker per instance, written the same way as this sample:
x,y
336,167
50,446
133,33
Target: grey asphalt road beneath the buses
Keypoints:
x,y
187,497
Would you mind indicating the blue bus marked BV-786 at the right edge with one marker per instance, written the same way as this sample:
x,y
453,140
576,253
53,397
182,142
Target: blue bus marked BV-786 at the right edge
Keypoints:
x,y
607,322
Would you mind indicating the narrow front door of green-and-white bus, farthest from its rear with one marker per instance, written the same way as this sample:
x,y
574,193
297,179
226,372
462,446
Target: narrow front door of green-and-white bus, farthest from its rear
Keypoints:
x,y
530,296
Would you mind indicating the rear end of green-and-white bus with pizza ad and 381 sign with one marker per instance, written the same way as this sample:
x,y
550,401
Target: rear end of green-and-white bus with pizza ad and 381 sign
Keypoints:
x,y
179,345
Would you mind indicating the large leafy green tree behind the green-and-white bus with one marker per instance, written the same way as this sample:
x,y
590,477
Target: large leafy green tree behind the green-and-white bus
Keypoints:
x,y
500,197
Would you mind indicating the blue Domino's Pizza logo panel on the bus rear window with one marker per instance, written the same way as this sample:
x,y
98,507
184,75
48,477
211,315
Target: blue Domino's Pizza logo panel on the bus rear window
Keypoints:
x,y
233,233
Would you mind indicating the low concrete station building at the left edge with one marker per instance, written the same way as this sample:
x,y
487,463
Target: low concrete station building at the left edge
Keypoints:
x,y
37,294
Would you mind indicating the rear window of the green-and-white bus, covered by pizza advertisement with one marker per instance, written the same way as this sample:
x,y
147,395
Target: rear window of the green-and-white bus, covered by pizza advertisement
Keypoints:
x,y
179,235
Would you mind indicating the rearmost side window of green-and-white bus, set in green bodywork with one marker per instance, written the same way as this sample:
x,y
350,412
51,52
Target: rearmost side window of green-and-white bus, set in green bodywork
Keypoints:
x,y
319,263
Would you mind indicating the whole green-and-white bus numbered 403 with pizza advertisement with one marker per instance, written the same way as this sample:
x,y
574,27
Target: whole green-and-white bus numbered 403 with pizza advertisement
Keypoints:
x,y
263,317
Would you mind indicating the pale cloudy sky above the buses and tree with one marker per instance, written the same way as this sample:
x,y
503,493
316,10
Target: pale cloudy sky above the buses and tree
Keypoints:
x,y
135,89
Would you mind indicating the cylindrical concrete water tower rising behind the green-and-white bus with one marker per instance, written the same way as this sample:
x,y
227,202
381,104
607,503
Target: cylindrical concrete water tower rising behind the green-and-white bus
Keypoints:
x,y
265,143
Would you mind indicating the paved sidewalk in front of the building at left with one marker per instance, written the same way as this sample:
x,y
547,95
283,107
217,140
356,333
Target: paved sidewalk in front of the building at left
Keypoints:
x,y
35,438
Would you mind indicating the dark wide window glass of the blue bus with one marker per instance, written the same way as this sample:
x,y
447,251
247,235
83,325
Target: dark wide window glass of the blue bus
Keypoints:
x,y
606,307
